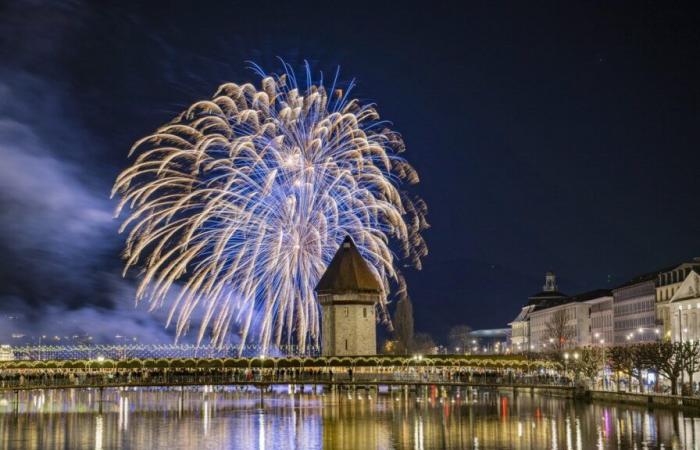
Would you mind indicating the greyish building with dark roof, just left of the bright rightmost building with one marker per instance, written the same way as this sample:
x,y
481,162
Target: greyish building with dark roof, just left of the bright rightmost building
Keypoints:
x,y
634,309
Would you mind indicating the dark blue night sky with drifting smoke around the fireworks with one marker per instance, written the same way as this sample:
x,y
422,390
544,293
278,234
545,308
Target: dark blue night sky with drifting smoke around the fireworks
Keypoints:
x,y
562,137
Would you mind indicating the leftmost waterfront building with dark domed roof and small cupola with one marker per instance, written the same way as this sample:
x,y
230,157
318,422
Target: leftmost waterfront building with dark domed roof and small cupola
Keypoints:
x,y
520,326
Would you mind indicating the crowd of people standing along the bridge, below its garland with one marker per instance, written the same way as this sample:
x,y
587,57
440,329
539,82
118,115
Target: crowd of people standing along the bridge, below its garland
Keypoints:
x,y
99,377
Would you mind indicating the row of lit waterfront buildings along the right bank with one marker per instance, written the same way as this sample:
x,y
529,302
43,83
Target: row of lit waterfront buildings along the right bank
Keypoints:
x,y
664,304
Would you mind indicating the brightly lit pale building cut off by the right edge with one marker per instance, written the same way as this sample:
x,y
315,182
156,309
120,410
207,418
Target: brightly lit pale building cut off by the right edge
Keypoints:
x,y
685,309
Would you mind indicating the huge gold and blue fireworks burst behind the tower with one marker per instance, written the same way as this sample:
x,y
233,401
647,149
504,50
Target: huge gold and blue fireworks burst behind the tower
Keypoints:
x,y
239,203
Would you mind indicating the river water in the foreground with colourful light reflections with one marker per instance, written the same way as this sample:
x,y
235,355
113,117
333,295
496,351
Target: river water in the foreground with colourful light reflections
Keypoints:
x,y
432,419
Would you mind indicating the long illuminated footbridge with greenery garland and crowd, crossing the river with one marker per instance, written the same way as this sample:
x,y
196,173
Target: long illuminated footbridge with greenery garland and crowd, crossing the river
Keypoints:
x,y
350,372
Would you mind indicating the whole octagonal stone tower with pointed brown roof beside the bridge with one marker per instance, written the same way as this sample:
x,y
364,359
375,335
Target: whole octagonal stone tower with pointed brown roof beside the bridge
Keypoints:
x,y
348,292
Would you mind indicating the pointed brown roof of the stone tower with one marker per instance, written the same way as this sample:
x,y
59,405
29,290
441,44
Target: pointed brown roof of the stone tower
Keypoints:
x,y
348,272
